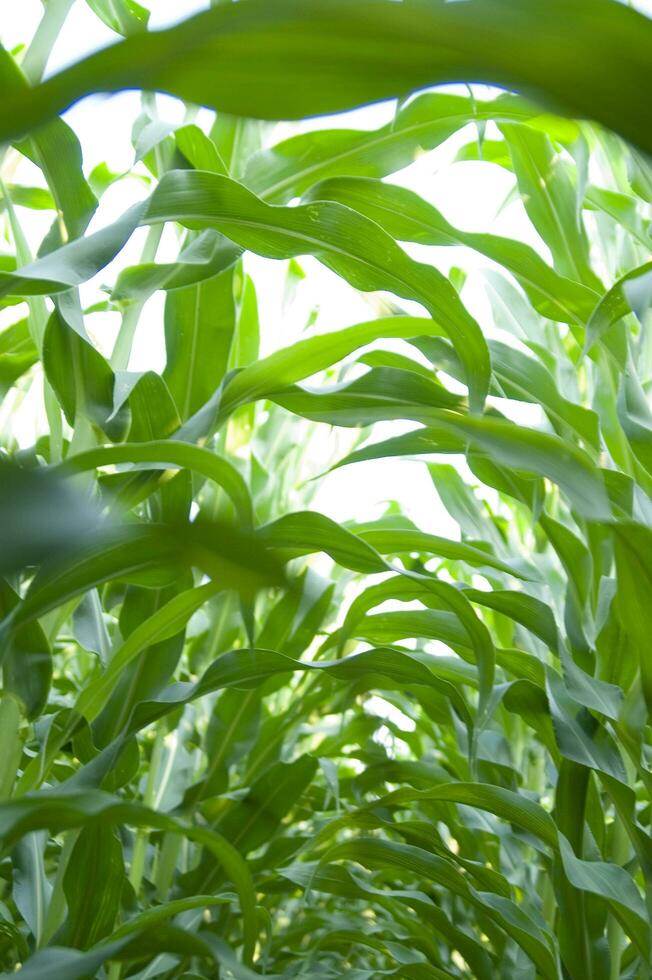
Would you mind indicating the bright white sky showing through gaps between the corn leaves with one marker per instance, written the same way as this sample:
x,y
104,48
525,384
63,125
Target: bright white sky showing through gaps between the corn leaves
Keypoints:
x,y
469,194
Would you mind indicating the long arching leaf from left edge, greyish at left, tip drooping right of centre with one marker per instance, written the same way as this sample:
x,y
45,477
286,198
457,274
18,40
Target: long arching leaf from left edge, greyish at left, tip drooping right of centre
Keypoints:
x,y
346,242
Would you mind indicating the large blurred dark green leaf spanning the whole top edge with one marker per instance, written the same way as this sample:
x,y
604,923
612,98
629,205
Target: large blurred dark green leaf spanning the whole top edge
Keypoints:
x,y
426,50
